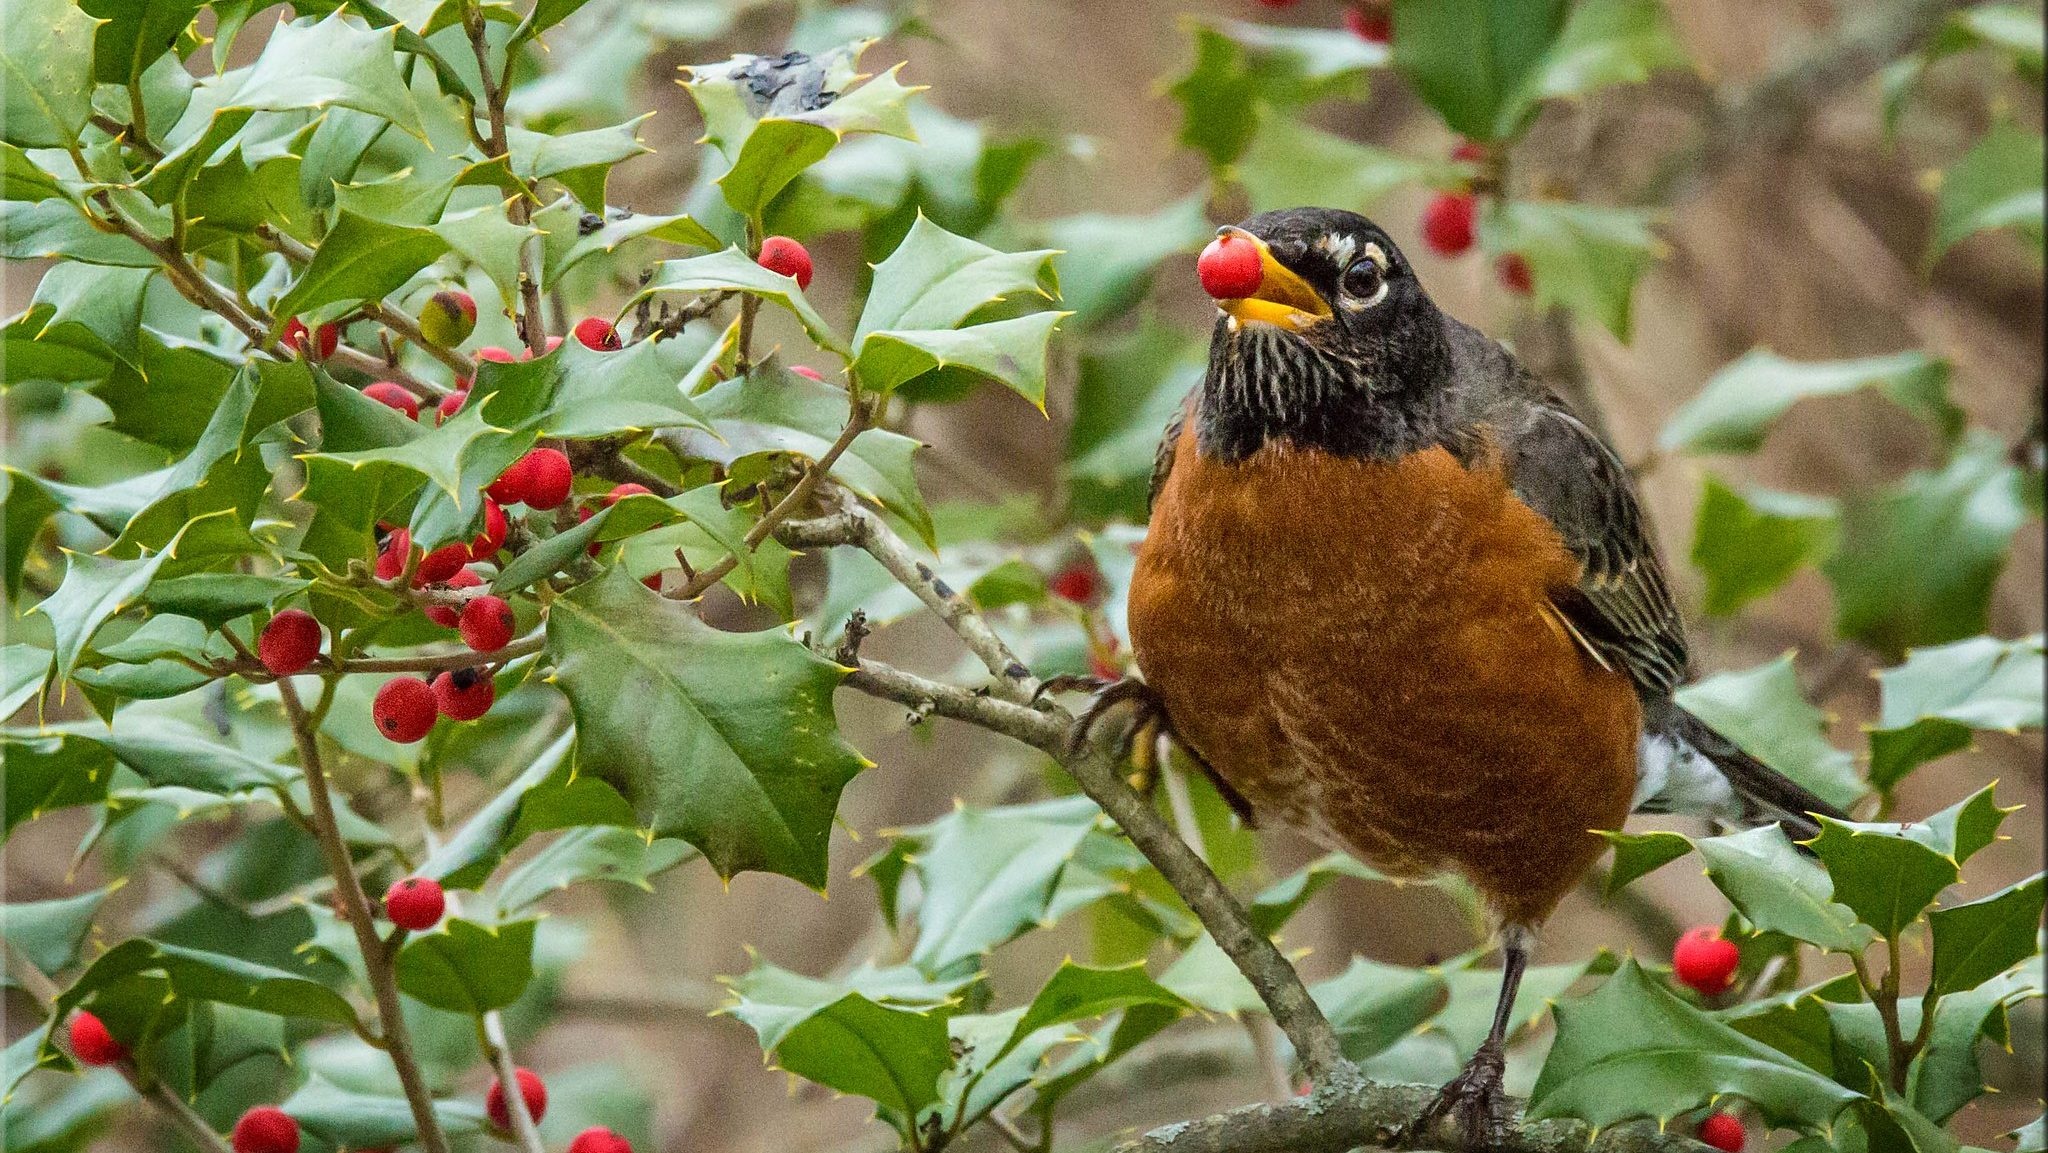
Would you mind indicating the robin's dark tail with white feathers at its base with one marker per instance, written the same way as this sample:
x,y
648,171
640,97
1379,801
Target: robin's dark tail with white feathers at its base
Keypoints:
x,y
1687,767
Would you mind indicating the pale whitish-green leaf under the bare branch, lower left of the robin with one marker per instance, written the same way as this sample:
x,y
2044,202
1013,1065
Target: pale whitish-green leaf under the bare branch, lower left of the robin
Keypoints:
x,y
990,876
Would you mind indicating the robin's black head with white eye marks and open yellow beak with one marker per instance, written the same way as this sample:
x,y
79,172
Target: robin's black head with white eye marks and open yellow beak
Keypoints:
x,y
1338,349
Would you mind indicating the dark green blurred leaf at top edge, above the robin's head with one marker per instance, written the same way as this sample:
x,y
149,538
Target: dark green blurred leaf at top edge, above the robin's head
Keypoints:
x,y
1471,58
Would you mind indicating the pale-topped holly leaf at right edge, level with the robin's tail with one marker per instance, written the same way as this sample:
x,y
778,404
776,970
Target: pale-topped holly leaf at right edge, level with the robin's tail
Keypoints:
x,y
1938,697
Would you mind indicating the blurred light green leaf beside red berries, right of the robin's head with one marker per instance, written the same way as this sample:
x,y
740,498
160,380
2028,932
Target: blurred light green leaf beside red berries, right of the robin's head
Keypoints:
x,y
1584,259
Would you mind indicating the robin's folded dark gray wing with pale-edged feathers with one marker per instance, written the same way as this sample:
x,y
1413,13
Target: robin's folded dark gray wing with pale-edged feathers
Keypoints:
x,y
1623,607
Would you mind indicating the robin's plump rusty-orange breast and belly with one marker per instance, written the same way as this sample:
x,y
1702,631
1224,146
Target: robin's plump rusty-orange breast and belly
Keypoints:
x,y
1367,650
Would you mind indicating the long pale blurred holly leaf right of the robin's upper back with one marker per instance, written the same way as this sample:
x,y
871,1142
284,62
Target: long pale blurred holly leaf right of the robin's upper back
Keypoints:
x,y
1738,409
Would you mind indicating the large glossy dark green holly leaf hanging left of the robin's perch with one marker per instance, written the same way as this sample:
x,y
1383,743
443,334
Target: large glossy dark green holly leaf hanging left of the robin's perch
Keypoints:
x,y
726,740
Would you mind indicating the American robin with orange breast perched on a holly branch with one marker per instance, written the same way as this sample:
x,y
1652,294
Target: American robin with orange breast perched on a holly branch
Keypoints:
x,y
1400,597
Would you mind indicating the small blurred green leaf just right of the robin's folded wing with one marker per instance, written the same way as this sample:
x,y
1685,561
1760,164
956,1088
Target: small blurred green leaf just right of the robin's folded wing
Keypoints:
x,y
1752,544
